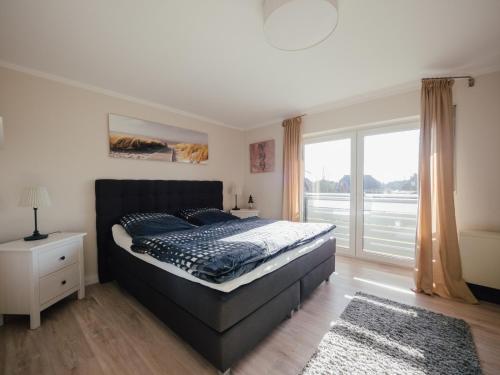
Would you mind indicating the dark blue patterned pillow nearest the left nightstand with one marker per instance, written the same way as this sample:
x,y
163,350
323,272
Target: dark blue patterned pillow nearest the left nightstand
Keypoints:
x,y
144,224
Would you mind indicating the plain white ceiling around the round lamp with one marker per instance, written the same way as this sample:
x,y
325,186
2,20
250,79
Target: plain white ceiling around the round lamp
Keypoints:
x,y
210,57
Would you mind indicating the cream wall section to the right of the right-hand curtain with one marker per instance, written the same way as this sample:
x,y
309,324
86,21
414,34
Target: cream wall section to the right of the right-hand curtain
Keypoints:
x,y
478,154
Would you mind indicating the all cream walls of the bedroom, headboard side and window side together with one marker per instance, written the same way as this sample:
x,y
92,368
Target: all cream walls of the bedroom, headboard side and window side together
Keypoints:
x,y
56,135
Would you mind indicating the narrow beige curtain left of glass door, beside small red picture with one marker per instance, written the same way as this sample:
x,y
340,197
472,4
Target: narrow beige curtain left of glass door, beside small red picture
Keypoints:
x,y
291,168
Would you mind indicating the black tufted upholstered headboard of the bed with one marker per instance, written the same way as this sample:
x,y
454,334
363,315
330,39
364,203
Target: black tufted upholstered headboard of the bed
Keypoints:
x,y
115,198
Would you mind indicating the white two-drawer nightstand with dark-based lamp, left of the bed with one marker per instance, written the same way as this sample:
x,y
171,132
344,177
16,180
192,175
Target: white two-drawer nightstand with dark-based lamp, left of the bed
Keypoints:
x,y
37,274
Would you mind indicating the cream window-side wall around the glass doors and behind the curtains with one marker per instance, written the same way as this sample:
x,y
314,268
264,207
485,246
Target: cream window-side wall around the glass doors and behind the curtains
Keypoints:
x,y
478,148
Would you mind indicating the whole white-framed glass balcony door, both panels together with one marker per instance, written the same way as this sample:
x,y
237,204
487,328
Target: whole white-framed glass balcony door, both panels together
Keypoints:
x,y
365,182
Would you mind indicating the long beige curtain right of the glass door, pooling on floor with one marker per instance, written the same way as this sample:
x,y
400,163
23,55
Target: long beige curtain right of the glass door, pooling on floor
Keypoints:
x,y
438,268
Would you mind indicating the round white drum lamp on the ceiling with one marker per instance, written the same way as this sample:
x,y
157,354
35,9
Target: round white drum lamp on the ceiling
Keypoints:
x,y
294,25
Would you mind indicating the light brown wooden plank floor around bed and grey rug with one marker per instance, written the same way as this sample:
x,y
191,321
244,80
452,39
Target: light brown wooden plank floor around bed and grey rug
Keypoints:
x,y
108,332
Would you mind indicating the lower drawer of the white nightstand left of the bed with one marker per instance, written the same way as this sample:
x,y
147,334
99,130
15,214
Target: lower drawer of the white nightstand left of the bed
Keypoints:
x,y
59,282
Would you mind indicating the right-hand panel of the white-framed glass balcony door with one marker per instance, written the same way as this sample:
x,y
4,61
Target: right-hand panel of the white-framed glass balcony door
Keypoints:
x,y
387,194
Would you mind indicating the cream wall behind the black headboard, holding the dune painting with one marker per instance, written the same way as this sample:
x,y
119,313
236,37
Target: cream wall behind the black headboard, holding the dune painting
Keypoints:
x,y
57,135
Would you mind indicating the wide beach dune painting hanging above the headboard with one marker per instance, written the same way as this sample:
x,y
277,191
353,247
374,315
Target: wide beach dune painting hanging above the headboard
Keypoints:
x,y
139,139
